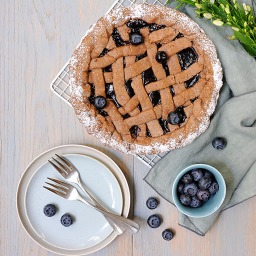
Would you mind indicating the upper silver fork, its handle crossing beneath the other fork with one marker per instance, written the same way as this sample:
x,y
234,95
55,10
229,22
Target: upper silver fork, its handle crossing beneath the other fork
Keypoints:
x,y
70,173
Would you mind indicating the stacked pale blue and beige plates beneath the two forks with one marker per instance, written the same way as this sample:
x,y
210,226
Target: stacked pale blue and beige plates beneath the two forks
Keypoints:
x,y
90,231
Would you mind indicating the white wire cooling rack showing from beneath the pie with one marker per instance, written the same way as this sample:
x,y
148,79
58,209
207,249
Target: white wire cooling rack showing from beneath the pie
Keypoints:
x,y
60,84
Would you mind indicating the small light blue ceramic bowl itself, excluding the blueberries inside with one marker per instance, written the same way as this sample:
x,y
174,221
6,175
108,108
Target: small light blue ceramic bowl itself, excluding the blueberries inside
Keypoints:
x,y
209,207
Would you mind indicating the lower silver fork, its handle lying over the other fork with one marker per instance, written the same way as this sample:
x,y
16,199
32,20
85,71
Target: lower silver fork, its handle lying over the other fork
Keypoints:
x,y
69,192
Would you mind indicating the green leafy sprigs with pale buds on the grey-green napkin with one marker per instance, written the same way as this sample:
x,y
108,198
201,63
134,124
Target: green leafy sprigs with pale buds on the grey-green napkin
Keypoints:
x,y
240,17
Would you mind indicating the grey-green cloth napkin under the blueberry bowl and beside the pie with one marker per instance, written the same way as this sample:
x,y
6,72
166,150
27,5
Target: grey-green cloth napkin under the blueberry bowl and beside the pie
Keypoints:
x,y
234,119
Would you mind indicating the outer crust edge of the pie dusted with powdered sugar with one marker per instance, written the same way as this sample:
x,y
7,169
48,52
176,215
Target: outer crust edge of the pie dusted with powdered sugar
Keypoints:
x,y
185,25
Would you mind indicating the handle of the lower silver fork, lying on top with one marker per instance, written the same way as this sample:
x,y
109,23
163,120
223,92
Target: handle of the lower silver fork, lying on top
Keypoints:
x,y
124,222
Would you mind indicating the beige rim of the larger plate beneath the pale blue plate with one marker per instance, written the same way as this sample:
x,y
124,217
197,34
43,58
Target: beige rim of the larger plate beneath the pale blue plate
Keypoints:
x,y
96,155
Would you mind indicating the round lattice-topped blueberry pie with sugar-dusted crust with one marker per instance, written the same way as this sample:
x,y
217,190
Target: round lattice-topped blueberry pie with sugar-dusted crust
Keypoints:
x,y
145,79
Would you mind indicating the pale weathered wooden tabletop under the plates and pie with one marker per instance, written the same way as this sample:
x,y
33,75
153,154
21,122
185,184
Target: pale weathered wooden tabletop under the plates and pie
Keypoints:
x,y
37,38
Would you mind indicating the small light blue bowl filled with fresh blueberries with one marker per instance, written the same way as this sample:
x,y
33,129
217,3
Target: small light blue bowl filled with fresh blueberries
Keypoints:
x,y
199,190
